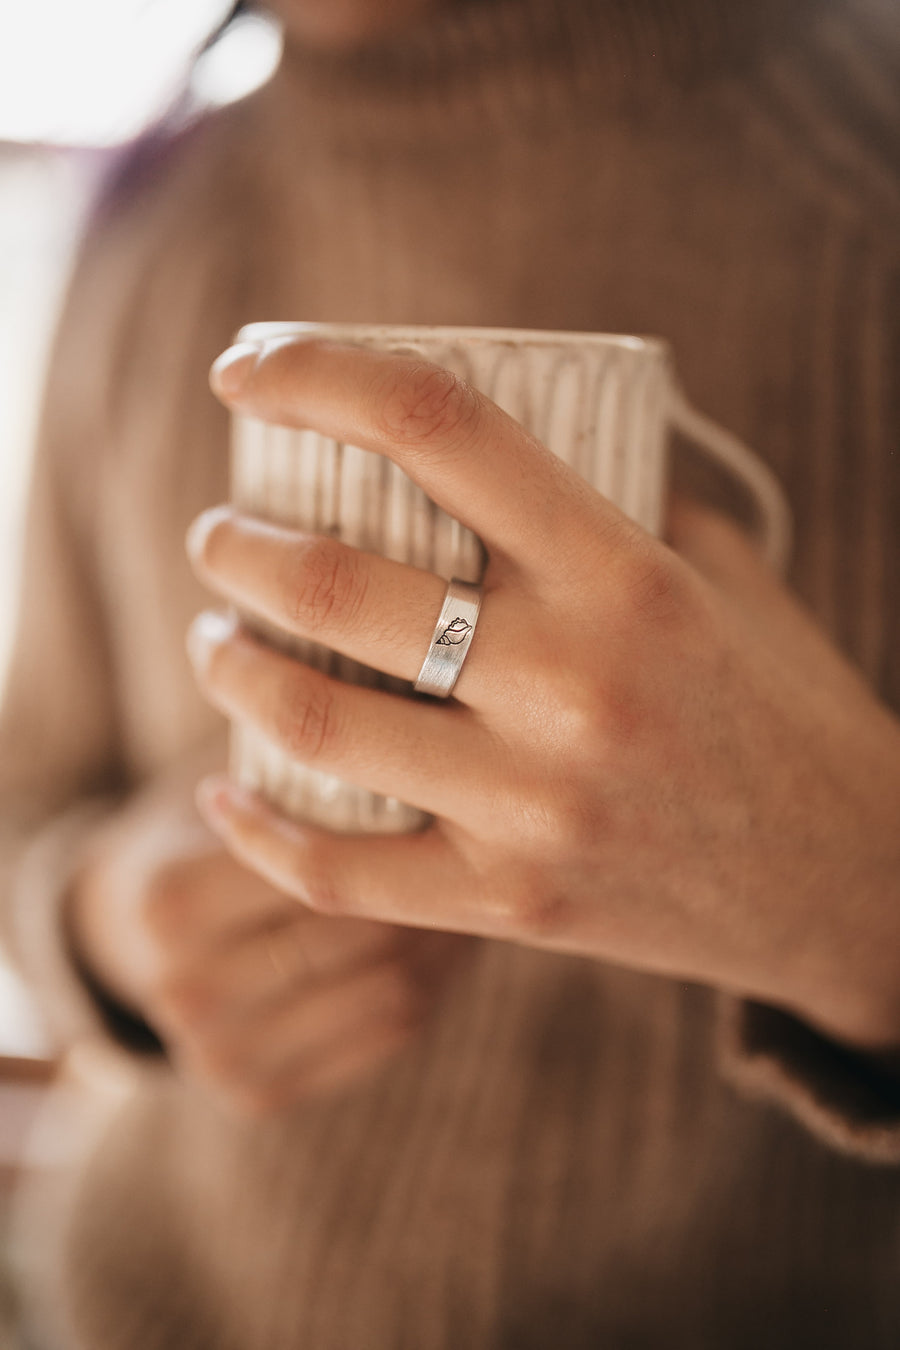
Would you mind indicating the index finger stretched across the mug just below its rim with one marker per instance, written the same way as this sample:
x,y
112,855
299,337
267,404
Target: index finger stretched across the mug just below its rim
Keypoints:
x,y
476,461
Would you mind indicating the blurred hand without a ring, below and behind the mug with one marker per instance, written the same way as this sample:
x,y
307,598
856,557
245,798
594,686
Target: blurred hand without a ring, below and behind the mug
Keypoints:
x,y
262,1001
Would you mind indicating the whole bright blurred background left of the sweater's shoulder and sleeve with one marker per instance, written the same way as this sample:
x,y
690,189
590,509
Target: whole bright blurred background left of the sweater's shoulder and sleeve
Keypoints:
x,y
79,82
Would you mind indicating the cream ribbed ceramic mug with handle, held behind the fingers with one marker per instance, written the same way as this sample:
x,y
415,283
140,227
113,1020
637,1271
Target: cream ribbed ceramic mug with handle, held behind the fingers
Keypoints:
x,y
604,403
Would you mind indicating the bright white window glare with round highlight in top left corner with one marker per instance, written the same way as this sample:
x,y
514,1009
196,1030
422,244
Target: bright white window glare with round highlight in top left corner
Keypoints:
x,y
99,72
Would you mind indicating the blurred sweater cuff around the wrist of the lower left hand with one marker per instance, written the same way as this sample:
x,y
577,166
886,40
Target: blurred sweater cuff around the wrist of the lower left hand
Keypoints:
x,y
72,1005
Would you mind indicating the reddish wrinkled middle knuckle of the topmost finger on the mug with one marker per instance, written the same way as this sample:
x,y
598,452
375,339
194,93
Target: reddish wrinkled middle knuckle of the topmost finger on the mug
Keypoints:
x,y
427,403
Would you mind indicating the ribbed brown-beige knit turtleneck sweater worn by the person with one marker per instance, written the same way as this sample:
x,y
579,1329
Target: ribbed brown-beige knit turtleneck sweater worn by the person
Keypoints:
x,y
573,1155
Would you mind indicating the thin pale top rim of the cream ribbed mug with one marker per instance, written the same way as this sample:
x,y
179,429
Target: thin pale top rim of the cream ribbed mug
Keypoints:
x,y
266,330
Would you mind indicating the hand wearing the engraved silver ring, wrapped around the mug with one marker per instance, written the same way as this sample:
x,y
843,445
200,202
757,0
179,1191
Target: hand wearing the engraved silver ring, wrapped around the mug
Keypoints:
x,y
652,754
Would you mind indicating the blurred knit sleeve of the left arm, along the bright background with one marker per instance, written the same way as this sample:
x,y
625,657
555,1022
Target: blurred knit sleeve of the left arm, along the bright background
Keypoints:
x,y
61,763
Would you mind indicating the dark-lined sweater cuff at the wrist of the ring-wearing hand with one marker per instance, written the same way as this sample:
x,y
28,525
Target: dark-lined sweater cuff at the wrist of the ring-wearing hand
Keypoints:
x,y
840,1096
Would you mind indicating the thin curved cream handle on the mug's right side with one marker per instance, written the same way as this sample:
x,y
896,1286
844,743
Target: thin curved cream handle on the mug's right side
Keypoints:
x,y
775,519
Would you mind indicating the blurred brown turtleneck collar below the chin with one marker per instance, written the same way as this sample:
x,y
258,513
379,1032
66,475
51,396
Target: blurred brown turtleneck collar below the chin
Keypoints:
x,y
459,67
